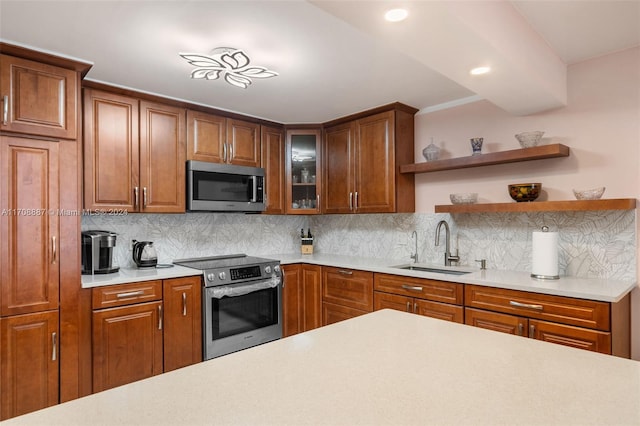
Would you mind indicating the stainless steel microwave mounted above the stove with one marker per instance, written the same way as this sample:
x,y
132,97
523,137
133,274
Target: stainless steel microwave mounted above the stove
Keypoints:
x,y
224,187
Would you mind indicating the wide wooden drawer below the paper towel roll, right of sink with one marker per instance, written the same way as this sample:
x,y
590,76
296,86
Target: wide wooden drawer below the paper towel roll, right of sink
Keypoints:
x,y
565,310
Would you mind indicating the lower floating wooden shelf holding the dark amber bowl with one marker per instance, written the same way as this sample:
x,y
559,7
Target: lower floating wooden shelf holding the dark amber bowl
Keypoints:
x,y
540,206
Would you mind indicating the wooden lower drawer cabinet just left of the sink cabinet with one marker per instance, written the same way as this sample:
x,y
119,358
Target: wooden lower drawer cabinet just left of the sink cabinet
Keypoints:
x,y
346,293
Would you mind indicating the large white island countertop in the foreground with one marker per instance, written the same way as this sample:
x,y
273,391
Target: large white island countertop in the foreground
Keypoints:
x,y
383,368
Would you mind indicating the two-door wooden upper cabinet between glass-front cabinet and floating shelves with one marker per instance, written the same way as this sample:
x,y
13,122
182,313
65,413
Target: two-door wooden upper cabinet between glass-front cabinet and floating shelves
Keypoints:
x,y
361,167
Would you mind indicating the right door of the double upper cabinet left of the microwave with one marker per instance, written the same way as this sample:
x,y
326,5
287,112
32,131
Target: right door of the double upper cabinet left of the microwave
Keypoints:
x,y
162,158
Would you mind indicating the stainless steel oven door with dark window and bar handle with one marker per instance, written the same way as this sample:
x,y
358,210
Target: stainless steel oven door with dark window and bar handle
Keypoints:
x,y
242,315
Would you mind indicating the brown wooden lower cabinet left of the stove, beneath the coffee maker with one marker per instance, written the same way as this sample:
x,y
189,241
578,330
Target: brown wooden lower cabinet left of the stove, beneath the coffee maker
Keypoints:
x,y
138,333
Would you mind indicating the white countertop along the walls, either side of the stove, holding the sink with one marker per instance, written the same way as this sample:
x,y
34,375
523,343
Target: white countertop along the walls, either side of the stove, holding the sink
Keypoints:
x,y
603,290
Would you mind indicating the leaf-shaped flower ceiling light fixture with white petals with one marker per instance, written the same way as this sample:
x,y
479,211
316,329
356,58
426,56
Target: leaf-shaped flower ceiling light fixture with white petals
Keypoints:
x,y
230,63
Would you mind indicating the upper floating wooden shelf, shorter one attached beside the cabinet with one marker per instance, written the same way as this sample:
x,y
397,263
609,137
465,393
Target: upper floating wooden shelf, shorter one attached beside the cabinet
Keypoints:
x,y
503,157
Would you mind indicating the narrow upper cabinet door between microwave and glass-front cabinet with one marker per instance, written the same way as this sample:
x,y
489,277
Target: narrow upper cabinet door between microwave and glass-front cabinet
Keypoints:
x,y
273,147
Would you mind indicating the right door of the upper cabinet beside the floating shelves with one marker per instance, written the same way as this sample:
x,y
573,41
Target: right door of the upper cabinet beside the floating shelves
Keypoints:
x,y
375,164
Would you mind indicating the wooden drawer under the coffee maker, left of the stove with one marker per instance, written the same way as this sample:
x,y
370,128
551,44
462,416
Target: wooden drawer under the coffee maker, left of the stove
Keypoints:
x,y
126,294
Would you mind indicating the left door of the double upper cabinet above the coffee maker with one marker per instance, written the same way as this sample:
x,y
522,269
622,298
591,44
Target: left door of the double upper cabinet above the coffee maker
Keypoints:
x,y
111,151
